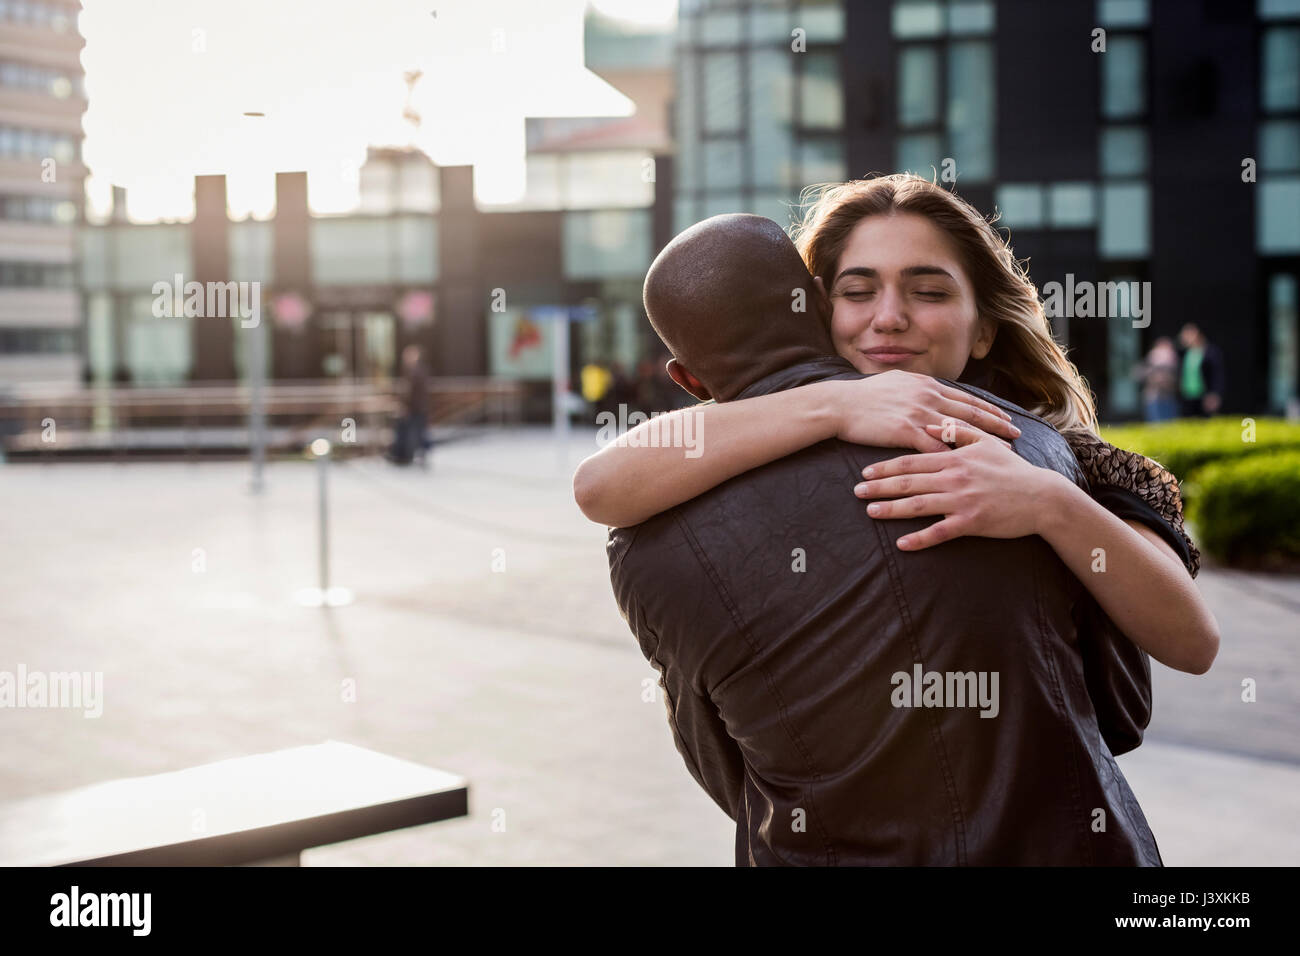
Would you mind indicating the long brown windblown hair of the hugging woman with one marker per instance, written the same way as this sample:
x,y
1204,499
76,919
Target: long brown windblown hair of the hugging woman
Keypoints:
x,y
1025,365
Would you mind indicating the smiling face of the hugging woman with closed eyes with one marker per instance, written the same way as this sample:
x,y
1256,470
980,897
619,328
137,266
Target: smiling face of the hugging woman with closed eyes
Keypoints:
x,y
902,300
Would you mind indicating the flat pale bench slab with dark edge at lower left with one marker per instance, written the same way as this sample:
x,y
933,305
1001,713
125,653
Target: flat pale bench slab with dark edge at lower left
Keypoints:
x,y
263,810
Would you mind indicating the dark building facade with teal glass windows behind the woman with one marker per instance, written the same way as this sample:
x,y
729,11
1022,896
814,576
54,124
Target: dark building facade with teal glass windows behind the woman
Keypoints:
x,y
1123,141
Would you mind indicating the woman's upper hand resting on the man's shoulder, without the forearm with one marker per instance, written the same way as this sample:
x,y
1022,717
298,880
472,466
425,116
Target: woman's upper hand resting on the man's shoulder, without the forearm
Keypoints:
x,y
895,409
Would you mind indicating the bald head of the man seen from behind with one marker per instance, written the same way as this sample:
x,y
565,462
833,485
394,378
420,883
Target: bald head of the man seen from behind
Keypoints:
x,y
723,299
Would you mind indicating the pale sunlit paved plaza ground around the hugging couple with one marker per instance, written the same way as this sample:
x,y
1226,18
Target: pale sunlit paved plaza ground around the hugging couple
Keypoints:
x,y
483,641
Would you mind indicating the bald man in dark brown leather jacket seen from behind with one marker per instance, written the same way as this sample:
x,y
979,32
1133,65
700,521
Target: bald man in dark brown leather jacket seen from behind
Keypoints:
x,y
781,618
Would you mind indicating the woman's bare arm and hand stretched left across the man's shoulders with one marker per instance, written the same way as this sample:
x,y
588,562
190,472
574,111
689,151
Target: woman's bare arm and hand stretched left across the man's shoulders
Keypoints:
x,y
642,475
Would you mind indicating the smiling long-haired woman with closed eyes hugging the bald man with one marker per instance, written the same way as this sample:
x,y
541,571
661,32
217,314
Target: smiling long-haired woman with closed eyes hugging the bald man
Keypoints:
x,y
921,285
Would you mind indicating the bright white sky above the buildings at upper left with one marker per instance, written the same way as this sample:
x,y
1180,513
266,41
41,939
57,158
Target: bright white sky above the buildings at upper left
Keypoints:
x,y
168,84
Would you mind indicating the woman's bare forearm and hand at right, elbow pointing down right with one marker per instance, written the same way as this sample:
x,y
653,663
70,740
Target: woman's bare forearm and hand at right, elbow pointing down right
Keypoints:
x,y
986,491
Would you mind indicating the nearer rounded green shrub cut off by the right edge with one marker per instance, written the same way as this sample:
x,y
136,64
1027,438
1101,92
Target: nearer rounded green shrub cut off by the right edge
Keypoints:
x,y
1247,511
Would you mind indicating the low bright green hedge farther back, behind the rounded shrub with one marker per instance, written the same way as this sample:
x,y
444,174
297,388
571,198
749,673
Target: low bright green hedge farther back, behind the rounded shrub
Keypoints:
x,y
1188,444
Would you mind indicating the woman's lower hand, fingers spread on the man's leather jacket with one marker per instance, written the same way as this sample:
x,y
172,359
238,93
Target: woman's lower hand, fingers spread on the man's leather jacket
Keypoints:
x,y
983,488
